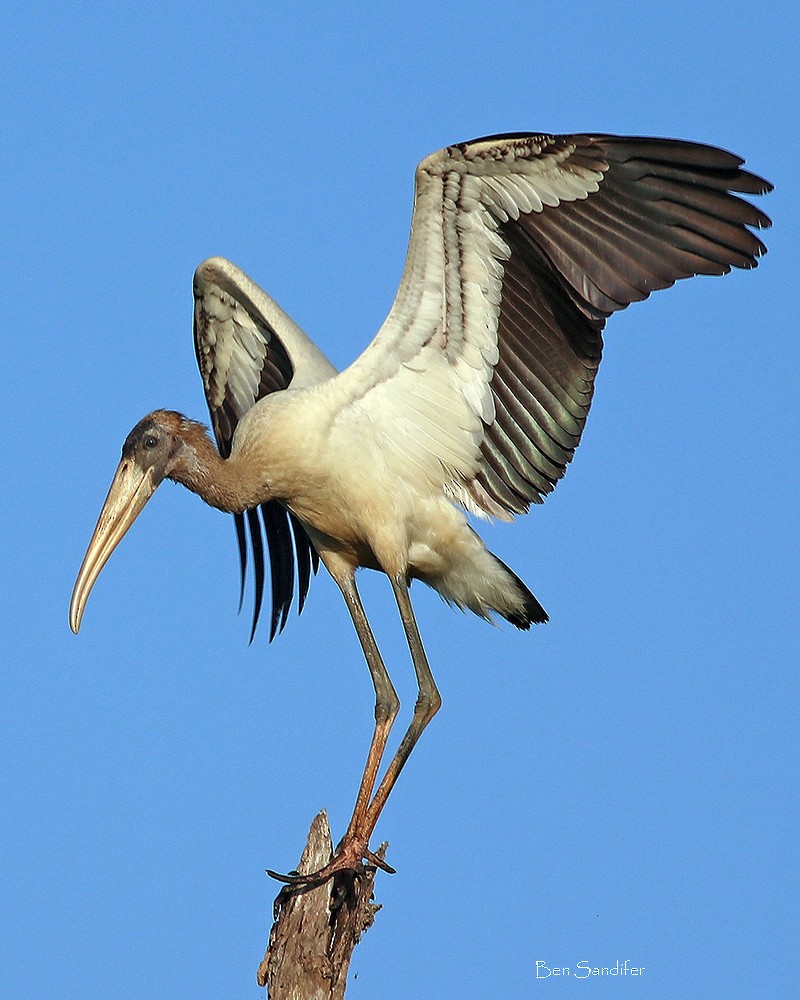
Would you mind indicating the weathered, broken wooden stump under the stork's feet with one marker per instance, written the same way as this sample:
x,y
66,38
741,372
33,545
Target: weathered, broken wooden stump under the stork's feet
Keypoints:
x,y
315,930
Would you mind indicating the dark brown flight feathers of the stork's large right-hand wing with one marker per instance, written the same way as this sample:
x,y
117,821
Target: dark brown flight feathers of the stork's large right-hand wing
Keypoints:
x,y
664,210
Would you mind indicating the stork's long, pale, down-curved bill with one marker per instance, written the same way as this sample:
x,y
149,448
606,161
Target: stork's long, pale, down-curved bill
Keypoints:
x,y
130,490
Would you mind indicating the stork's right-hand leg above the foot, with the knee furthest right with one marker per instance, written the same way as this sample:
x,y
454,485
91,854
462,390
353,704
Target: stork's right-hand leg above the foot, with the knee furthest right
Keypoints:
x,y
428,703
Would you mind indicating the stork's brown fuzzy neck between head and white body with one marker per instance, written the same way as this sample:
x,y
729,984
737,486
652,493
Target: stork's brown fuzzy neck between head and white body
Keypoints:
x,y
228,484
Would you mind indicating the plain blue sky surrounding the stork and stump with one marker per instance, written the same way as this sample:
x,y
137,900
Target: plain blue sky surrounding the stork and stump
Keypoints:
x,y
614,785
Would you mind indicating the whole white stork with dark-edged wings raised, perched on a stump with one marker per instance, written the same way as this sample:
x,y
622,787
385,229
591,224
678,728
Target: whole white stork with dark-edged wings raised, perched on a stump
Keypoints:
x,y
470,400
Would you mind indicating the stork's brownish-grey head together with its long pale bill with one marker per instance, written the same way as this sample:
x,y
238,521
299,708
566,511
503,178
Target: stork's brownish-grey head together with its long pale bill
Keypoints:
x,y
149,455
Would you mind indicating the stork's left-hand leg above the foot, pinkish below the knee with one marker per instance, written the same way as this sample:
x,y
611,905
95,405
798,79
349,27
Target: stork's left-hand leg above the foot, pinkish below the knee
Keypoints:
x,y
387,705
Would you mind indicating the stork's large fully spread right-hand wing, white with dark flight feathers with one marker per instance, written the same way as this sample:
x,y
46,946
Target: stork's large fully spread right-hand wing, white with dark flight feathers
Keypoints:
x,y
521,247
